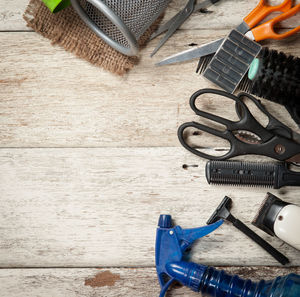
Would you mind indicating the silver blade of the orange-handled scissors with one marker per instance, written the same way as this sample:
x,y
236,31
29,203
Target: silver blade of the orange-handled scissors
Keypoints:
x,y
204,50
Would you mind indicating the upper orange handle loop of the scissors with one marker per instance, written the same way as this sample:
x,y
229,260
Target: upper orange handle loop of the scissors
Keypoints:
x,y
263,9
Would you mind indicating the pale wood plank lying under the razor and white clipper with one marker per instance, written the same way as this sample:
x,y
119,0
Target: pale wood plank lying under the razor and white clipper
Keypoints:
x,y
99,207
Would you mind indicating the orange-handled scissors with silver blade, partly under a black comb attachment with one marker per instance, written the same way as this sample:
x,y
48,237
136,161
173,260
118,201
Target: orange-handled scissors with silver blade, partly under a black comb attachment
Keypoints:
x,y
247,27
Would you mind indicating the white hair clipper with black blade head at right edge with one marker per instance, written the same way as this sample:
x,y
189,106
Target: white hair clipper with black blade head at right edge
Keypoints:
x,y
279,218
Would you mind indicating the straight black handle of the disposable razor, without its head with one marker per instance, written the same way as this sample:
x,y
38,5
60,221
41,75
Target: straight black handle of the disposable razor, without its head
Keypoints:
x,y
266,246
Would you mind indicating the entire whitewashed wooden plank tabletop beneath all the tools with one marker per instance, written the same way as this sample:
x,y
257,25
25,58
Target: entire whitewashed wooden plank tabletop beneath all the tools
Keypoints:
x,y
89,160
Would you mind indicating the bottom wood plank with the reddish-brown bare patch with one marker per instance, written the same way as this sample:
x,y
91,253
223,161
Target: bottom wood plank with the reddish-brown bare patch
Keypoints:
x,y
106,282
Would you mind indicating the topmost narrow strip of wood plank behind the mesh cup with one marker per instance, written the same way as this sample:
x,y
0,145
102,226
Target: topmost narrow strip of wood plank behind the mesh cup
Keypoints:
x,y
226,14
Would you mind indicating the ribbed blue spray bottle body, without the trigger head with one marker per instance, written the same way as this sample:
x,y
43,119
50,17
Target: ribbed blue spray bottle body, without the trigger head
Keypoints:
x,y
217,283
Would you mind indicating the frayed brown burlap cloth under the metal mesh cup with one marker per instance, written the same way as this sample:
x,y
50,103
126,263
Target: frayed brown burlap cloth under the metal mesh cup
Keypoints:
x,y
66,29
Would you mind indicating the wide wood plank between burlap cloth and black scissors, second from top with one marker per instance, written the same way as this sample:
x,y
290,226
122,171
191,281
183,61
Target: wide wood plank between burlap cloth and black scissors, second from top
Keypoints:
x,y
49,98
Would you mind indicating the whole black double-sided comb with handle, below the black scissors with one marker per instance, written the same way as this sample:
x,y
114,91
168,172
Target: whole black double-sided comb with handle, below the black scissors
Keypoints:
x,y
273,175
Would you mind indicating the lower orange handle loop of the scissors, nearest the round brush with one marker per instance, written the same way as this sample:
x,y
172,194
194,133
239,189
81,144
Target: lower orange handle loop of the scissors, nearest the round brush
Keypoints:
x,y
266,30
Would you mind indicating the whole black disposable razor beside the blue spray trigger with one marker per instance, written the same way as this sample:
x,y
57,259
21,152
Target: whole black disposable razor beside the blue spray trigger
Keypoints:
x,y
223,213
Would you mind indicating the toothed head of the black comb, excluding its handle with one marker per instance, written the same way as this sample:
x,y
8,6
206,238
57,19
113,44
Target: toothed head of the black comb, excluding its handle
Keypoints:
x,y
241,173
